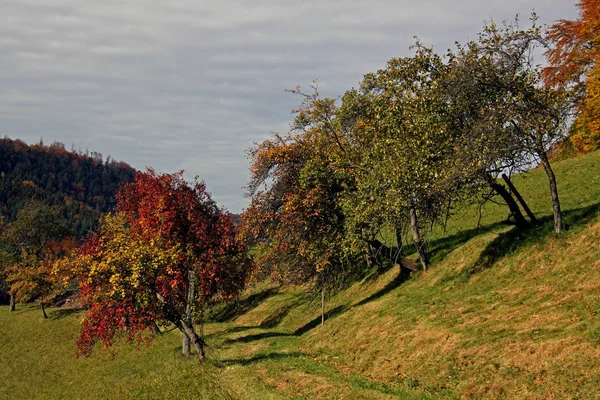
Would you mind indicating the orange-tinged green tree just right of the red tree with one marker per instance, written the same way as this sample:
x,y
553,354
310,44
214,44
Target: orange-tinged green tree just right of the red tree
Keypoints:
x,y
295,219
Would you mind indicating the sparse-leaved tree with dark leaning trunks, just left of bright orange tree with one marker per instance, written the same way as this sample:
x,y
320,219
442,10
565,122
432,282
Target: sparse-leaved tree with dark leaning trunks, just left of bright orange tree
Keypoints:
x,y
508,119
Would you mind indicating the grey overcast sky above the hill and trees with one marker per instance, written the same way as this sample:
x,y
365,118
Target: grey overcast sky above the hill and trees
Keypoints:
x,y
192,84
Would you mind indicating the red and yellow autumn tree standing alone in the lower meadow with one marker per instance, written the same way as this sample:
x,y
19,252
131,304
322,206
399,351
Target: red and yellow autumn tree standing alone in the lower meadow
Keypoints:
x,y
167,253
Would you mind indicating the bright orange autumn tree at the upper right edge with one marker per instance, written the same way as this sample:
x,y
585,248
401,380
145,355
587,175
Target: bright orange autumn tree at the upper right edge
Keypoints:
x,y
575,63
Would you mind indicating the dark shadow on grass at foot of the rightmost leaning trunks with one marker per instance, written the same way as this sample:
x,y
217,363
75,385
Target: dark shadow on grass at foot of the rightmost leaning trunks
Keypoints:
x,y
511,241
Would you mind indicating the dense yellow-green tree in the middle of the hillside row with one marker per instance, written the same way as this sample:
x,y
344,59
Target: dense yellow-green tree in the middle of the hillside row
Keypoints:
x,y
399,141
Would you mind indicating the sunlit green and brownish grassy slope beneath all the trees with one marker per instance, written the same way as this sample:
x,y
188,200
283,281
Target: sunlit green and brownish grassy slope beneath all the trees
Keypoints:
x,y
500,314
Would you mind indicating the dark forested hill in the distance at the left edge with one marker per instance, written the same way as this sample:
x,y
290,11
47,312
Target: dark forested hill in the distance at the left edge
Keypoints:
x,y
84,184
